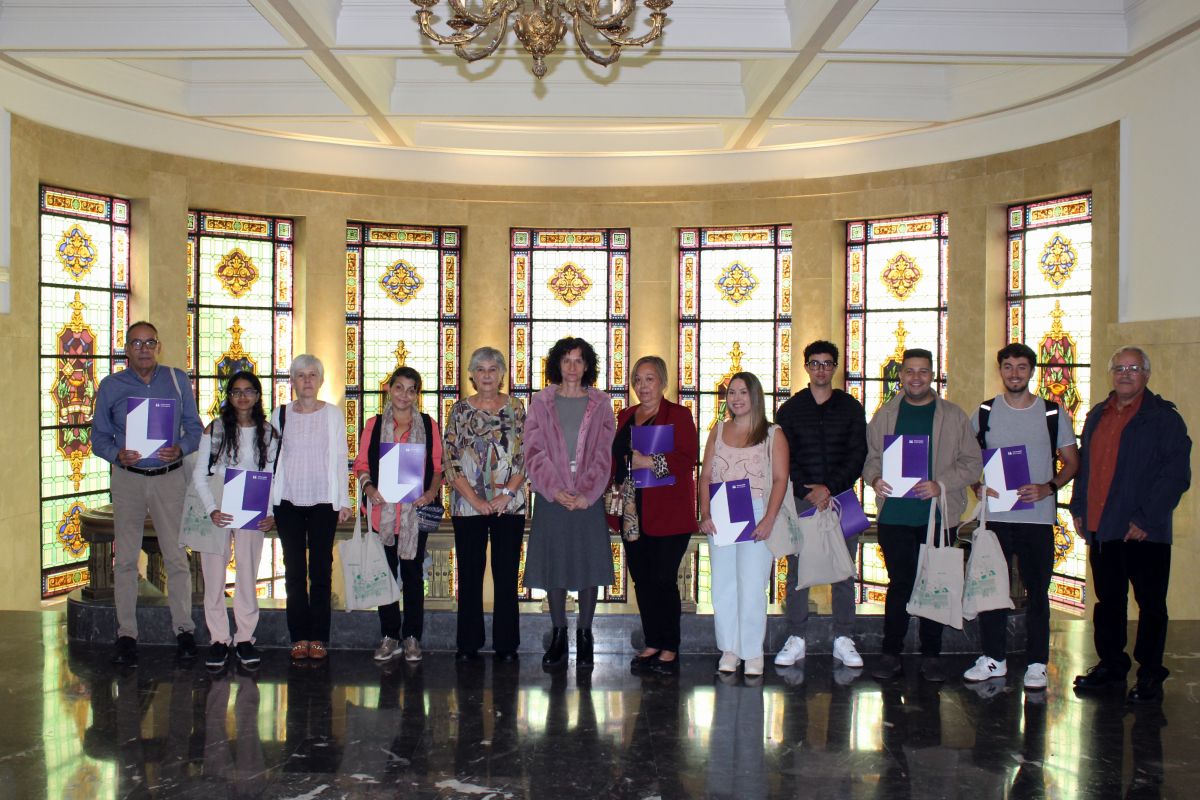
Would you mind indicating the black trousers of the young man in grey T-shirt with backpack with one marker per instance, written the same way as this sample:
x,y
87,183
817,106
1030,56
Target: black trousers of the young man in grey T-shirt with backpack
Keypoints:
x,y
1034,549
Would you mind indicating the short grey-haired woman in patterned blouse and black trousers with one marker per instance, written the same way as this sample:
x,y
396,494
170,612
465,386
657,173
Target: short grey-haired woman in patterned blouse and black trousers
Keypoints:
x,y
484,465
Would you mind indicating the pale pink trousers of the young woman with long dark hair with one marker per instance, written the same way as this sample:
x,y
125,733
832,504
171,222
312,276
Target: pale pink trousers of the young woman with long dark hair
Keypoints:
x,y
248,546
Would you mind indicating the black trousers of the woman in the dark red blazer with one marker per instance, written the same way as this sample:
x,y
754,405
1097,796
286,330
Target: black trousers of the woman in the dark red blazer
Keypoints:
x,y
655,569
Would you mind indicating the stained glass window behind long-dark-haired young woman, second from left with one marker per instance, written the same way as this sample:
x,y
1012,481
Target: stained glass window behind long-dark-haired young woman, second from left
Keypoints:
x,y
239,317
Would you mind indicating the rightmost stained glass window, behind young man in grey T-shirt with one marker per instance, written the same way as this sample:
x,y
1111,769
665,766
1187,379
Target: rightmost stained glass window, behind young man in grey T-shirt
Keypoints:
x,y
1051,310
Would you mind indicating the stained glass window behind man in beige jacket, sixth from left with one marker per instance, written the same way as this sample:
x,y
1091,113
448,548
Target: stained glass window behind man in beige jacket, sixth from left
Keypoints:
x,y
896,299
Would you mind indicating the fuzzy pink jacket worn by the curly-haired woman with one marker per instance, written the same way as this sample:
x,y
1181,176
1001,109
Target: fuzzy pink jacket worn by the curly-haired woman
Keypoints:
x,y
547,464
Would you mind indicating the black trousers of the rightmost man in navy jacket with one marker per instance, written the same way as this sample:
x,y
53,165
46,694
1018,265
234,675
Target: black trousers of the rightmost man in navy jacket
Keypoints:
x,y
1148,568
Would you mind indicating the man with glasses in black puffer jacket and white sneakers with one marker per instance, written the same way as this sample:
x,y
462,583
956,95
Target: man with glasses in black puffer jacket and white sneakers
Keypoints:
x,y
826,432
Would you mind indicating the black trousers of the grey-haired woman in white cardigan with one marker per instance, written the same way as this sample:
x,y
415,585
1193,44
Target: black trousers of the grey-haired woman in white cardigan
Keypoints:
x,y
307,534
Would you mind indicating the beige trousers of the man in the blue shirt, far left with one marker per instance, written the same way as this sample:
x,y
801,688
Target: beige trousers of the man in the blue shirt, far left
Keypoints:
x,y
163,496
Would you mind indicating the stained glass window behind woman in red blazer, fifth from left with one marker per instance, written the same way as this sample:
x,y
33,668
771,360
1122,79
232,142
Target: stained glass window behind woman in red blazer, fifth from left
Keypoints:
x,y
735,316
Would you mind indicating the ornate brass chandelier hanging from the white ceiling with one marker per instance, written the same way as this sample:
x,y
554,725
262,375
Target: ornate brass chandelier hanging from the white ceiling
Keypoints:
x,y
542,26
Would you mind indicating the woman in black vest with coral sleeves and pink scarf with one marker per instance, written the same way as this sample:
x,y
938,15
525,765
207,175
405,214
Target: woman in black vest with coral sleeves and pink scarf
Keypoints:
x,y
398,522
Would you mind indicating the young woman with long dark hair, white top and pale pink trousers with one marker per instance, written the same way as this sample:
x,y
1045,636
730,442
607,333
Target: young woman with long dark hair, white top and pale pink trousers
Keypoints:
x,y
241,438
